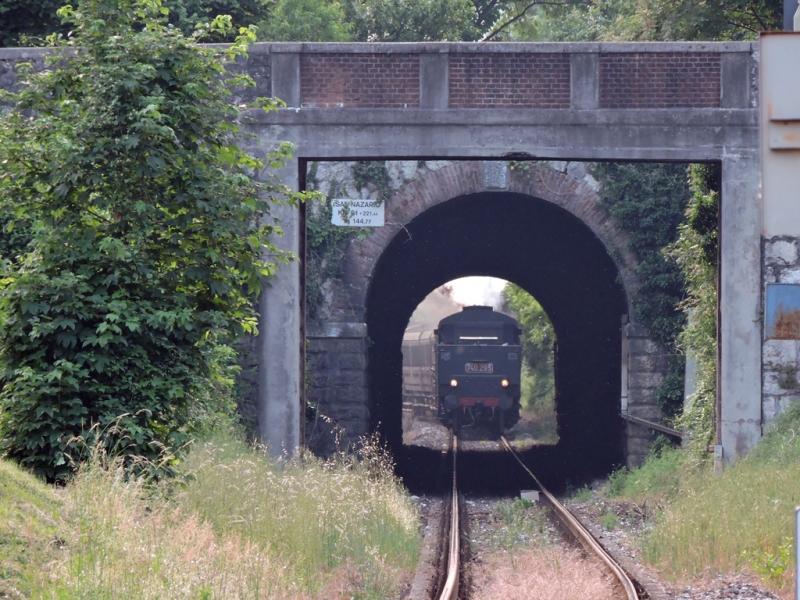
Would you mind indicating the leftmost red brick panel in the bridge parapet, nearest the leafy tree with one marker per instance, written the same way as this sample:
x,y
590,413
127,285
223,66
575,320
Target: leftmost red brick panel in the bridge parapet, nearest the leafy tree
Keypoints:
x,y
360,80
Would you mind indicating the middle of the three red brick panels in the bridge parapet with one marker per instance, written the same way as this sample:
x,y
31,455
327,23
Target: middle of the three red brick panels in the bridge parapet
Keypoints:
x,y
509,80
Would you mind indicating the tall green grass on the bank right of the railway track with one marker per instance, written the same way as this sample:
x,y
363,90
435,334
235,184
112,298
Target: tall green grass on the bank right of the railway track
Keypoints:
x,y
742,519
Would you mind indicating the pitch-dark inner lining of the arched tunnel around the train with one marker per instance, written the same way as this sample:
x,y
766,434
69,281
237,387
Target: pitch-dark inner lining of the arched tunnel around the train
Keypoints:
x,y
555,257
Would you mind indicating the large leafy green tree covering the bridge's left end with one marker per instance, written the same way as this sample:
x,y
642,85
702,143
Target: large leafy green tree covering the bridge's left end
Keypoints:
x,y
149,232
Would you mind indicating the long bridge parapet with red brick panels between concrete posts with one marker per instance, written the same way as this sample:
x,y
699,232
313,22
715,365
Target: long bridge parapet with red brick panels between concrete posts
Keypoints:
x,y
658,75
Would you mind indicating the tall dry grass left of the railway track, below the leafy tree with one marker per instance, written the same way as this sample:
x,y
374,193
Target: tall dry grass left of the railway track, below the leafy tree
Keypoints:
x,y
235,525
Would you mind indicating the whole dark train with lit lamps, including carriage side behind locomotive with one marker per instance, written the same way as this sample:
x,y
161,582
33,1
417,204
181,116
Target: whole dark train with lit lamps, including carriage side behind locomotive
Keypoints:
x,y
467,370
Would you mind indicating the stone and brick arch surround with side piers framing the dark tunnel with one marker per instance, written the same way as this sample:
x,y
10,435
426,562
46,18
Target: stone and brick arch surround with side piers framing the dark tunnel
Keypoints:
x,y
339,347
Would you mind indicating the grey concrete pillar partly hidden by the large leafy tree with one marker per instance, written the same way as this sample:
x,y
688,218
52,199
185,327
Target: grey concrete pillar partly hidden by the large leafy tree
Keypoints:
x,y
279,338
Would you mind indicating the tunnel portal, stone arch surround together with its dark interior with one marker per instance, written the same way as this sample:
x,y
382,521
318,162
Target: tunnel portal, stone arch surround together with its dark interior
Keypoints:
x,y
532,224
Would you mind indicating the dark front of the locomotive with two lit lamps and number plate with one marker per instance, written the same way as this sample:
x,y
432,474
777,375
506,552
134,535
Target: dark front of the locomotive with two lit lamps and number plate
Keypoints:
x,y
478,356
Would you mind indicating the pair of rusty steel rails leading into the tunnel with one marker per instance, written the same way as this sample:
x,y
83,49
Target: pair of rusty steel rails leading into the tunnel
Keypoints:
x,y
449,589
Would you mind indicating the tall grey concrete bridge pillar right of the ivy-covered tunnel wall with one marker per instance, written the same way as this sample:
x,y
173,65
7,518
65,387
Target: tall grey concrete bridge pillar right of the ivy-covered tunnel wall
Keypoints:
x,y
739,376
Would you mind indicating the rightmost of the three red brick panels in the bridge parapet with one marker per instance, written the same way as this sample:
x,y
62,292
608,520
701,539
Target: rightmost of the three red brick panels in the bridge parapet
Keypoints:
x,y
659,80
